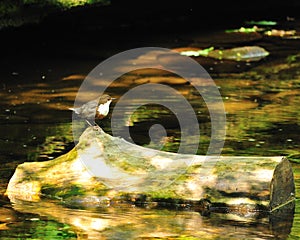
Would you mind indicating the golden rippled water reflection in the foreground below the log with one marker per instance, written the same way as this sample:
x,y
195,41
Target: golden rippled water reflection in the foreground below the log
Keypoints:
x,y
129,222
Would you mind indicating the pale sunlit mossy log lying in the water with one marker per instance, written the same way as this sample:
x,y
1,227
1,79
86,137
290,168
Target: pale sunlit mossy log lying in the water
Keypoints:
x,y
103,168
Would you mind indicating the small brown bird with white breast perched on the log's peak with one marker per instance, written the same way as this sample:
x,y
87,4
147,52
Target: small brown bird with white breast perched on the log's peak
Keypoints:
x,y
95,109
